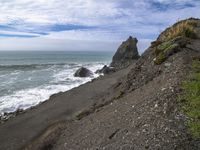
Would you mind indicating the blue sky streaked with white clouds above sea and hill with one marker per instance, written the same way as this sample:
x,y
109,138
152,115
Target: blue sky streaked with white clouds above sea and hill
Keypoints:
x,y
77,25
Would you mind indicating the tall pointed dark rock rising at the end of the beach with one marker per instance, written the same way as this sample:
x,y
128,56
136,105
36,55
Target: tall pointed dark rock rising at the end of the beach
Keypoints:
x,y
126,54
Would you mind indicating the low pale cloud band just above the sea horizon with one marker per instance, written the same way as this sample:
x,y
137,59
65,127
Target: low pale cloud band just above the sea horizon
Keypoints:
x,y
46,44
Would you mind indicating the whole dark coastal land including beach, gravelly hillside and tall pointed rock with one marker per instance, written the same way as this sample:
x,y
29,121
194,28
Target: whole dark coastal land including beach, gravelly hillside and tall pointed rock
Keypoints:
x,y
151,102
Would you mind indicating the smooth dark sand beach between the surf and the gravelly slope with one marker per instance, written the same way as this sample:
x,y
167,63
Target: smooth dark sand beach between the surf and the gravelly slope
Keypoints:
x,y
20,130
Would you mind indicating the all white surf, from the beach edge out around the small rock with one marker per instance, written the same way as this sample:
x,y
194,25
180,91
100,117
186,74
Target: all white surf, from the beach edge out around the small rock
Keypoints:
x,y
63,80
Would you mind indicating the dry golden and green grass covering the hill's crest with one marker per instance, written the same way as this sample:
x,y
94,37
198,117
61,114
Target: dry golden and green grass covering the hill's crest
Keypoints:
x,y
169,45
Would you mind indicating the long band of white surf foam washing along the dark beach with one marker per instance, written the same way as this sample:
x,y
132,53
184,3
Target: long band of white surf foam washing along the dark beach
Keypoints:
x,y
30,97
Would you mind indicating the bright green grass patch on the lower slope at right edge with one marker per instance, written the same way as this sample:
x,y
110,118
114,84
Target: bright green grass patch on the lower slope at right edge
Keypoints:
x,y
190,100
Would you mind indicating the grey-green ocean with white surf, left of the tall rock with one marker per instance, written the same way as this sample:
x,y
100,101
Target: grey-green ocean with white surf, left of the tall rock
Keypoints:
x,y
28,78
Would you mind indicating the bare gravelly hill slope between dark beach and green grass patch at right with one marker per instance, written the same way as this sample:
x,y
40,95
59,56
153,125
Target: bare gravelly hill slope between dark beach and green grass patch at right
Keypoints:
x,y
147,114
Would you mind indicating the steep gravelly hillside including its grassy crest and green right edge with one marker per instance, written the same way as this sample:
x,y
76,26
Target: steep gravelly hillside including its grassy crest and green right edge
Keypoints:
x,y
149,107
